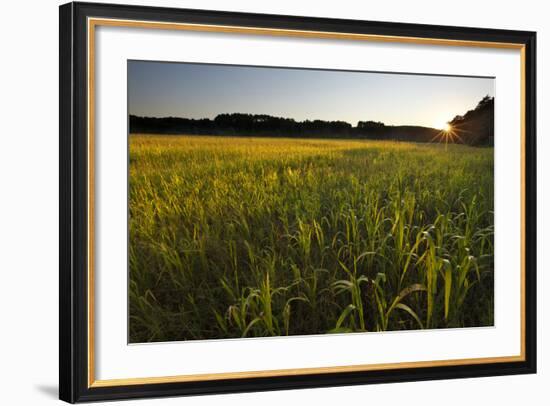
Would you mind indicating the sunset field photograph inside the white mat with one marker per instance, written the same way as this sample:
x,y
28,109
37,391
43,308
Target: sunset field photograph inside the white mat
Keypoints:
x,y
271,201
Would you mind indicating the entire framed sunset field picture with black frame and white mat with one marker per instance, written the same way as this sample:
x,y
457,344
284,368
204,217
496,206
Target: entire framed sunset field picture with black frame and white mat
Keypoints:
x,y
256,202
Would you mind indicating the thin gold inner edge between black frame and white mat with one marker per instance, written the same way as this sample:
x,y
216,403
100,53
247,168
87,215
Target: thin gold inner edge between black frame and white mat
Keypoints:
x,y
93,22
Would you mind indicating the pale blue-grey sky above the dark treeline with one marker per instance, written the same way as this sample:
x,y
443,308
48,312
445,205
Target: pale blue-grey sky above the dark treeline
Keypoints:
x,y
189,90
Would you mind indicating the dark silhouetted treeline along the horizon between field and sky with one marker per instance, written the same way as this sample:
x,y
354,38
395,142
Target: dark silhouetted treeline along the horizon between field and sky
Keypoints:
x,y
475,127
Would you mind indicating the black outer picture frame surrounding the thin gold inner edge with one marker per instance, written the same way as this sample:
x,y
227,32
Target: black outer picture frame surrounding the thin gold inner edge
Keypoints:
x,y
73,256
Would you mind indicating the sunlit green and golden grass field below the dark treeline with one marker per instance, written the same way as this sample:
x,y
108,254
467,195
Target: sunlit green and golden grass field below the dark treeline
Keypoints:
x,y
252,237
